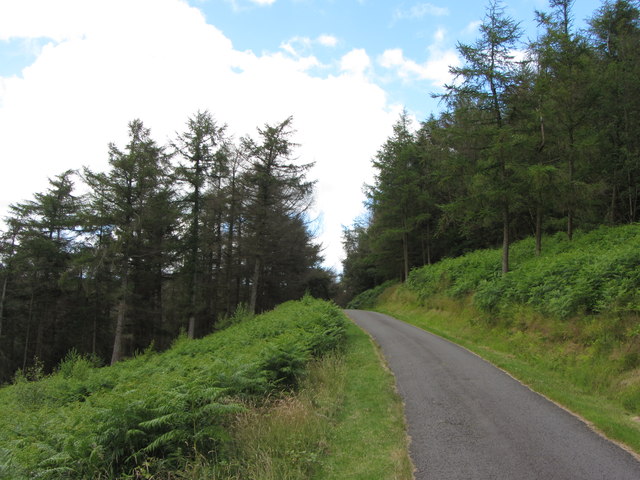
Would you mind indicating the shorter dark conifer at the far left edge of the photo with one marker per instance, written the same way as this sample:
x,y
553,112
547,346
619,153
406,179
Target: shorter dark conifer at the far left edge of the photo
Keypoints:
x,y
42,232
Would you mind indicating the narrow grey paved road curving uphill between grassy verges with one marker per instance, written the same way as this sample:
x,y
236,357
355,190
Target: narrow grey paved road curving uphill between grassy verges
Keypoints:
x,y
469,420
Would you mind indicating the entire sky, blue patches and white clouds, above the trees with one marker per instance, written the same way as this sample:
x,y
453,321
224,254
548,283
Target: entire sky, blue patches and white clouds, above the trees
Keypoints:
x,y
73,73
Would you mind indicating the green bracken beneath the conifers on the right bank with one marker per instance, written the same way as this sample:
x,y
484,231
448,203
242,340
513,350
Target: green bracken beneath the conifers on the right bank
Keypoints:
x,y
596,272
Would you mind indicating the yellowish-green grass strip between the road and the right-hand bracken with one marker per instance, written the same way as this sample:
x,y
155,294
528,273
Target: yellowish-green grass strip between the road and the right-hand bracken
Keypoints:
x,y
587,384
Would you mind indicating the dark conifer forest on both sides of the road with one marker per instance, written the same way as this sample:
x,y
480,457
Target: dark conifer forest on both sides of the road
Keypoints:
x,y
537,136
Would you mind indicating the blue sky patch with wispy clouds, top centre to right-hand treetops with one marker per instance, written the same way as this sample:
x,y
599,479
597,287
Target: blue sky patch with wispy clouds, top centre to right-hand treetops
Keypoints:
x,y
374,25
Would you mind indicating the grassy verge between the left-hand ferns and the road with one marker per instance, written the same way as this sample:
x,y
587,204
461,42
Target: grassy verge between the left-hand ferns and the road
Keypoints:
x,y
345,422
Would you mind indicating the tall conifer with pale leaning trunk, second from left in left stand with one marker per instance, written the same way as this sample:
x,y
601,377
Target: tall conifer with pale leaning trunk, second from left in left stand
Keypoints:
x,y
134,203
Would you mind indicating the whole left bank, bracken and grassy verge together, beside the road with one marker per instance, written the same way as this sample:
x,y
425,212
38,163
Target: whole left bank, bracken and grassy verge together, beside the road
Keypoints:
x,y
260,399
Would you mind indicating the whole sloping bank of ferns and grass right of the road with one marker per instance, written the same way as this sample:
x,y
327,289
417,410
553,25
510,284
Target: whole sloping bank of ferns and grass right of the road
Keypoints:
x,y
567,323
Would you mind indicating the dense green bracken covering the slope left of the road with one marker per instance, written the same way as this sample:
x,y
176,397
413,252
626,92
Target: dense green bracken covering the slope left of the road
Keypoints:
x,y
155,412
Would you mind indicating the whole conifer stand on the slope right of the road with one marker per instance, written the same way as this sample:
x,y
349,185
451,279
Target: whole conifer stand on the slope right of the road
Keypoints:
x,y
535,138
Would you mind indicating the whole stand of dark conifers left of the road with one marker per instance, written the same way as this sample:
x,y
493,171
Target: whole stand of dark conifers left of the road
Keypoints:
x,y
170,237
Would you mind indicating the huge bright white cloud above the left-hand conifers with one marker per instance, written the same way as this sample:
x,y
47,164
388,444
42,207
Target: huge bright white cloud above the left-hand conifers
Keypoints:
x,y
84,87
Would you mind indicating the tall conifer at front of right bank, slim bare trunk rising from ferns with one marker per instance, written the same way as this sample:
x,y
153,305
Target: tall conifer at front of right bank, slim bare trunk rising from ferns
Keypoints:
x,y
486,78
